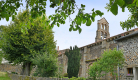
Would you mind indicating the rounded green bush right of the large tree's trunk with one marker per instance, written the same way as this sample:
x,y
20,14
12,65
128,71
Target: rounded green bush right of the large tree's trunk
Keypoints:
x,y
46,64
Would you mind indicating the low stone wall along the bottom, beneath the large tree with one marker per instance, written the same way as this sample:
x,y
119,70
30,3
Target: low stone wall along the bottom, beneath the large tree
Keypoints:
x,y
23,77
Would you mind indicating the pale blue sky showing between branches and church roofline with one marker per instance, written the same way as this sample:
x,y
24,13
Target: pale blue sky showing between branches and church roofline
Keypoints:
x,y
65,38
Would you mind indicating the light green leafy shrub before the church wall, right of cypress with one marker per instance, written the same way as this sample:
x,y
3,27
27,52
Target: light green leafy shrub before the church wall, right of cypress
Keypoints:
x,y
109,61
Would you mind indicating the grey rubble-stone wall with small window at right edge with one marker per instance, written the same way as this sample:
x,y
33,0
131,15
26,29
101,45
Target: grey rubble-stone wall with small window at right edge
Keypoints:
x,y
130,51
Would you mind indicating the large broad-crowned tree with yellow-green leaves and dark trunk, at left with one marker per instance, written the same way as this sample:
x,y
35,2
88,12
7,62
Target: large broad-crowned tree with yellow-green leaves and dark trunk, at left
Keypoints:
x,y
19,47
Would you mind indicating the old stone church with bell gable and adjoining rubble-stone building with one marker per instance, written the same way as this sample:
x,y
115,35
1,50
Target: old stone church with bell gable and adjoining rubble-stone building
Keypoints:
x,y
128,41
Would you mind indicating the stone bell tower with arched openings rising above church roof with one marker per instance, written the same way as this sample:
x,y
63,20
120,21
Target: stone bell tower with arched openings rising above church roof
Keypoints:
x,y
102,30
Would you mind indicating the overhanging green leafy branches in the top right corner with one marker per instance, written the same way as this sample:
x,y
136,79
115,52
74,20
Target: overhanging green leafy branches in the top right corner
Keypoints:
x,y
132,6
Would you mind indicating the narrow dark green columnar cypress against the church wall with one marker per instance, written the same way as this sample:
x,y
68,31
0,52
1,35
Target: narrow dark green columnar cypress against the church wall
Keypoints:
x,y
74,57
